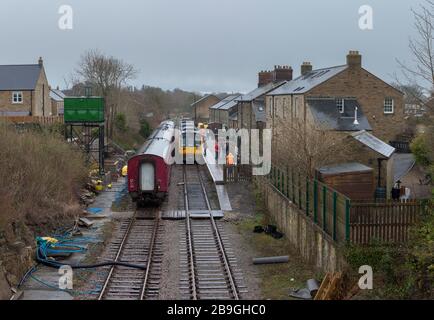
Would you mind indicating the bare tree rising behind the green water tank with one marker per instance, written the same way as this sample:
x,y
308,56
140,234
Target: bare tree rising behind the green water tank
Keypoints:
x,y
107,75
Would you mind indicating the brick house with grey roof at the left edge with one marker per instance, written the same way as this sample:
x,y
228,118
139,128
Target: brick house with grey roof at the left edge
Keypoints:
x,y
24,90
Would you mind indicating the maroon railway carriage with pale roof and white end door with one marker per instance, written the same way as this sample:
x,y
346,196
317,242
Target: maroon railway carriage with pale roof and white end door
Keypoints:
x,y
149,169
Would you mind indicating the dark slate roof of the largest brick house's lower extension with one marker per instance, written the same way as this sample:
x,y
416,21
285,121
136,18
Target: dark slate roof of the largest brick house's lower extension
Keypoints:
x,y
325,112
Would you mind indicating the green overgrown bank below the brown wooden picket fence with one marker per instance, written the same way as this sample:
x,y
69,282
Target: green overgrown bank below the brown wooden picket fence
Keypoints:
x,y
403,271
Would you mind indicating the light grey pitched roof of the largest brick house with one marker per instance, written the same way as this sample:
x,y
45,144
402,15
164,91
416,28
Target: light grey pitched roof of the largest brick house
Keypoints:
x,y
308,81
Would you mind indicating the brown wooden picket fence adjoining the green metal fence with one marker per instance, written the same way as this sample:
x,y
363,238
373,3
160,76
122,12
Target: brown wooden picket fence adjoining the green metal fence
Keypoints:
x,y
388,222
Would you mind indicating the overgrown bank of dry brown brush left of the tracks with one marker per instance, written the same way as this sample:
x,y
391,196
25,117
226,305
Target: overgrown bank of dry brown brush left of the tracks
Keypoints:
x,y
40,178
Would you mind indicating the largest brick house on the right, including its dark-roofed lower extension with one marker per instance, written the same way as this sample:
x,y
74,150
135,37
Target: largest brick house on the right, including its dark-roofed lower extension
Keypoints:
x,y
347,100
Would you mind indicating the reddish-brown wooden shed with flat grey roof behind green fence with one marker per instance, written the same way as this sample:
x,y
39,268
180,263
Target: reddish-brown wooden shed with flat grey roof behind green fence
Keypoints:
x,y
354,180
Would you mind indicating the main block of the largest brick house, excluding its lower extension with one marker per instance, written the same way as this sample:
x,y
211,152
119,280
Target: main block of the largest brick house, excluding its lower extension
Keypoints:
x,y
382,104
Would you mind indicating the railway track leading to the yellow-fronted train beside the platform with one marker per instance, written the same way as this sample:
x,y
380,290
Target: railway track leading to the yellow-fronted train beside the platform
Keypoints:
x,y
209,264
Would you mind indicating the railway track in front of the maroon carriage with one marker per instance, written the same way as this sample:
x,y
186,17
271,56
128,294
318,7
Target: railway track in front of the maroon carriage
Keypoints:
x,y
138,243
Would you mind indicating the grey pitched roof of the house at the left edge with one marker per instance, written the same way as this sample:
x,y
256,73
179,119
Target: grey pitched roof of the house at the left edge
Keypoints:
x,y
19,77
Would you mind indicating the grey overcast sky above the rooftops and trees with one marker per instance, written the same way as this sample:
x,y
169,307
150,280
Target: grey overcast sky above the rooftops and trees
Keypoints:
x,y
206,45
